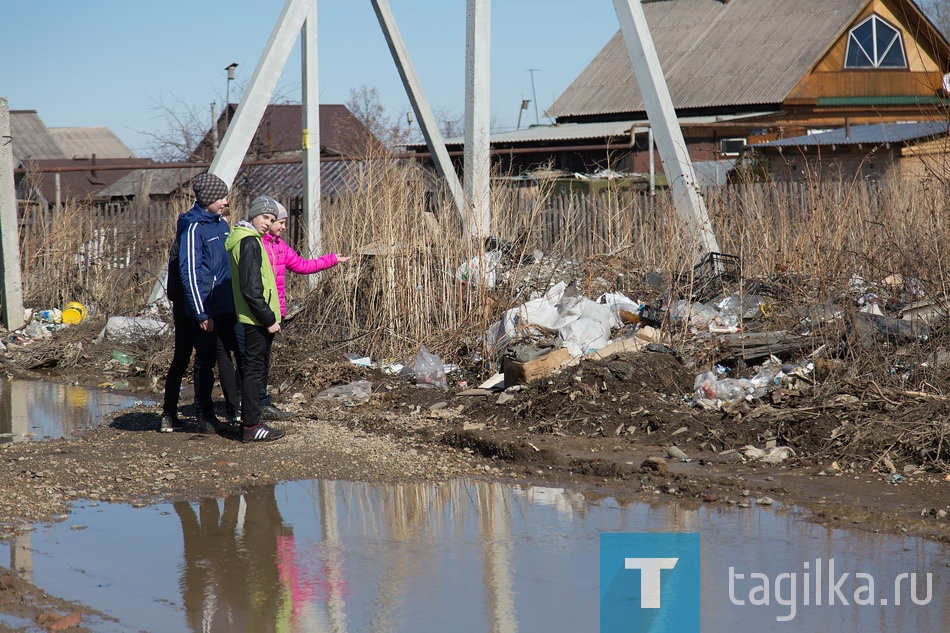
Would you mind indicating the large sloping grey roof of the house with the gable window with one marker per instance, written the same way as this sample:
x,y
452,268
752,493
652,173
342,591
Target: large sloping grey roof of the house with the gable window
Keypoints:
x,y
744,52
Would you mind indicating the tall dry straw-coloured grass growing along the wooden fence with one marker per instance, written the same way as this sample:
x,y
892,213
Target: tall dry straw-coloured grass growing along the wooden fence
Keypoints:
x,y
402,290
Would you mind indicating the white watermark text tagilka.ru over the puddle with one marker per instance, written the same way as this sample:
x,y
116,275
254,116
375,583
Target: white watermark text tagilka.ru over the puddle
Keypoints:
x,y
823,583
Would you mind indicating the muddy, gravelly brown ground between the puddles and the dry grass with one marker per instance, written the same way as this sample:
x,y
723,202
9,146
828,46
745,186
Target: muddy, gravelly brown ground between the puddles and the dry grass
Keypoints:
x,y
866,451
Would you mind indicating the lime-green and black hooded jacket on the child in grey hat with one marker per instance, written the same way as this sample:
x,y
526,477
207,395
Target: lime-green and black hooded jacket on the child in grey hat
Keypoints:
x,y
252,278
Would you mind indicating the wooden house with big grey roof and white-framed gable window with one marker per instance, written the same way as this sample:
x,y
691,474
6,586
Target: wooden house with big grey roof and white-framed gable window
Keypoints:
x,y
746,71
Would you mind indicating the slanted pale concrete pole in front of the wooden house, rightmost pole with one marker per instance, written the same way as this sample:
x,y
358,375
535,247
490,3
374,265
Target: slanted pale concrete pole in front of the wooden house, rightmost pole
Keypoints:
x,y
666,130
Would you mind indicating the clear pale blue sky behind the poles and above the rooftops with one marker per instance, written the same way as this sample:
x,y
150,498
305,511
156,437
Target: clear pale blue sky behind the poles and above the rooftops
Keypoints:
x,y
135,65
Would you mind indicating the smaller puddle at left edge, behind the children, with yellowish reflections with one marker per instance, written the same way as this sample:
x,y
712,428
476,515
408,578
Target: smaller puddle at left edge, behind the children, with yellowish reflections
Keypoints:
x,y
34,409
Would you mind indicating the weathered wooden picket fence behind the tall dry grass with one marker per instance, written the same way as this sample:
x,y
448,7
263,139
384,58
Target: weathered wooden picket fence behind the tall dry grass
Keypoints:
x,y
574,225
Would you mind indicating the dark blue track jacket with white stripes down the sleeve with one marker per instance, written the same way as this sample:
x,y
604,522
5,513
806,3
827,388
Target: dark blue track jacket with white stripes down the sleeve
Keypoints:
x,y
204,264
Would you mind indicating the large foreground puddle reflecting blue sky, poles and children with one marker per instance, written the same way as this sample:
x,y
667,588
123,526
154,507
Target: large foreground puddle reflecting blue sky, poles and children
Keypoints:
x,y
465,555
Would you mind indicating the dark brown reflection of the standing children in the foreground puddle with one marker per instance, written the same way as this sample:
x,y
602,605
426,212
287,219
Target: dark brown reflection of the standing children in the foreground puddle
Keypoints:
x,y
230,581
